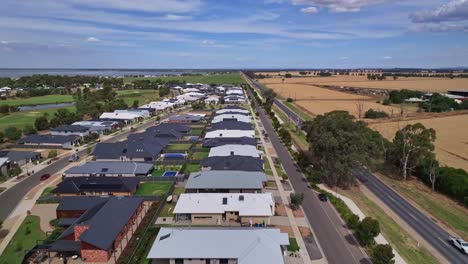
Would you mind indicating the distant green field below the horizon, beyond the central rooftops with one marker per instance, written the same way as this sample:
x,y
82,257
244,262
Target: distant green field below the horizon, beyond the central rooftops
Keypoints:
x,y
227,78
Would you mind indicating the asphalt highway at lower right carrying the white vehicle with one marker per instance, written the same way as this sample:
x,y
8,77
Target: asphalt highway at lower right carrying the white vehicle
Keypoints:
x,y
422,224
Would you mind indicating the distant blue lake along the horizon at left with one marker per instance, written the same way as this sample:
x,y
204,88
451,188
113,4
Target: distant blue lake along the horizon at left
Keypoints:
x,y
15,73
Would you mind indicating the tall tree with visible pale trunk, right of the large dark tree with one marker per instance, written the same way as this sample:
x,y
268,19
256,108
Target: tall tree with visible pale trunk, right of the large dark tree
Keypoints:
x,y
411,144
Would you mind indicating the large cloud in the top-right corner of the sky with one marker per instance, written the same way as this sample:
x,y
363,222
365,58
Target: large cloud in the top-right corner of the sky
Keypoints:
x,y
455,10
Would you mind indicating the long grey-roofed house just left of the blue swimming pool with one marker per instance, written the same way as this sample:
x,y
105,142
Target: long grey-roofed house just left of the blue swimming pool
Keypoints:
x,y
110,169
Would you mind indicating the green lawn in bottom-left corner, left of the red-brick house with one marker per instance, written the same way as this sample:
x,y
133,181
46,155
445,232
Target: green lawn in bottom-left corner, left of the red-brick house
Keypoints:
x,y
24,239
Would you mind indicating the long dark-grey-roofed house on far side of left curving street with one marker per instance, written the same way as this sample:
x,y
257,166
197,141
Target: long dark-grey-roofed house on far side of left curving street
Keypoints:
x,y
48,141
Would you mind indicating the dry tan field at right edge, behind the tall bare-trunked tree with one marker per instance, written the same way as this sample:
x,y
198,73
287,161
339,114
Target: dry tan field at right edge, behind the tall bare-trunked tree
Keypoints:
x,y
452,137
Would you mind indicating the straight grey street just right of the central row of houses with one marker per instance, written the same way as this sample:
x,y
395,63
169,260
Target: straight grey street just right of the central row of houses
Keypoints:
x,y
338,244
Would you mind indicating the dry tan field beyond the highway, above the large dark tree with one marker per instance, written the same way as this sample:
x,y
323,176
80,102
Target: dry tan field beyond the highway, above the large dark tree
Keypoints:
x,y
316,100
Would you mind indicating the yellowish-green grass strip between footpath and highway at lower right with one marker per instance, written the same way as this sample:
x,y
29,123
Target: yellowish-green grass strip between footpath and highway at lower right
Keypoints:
x,y
398,238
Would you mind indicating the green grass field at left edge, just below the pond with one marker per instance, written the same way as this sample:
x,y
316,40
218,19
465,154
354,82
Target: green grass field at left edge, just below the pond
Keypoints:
x,y
21,119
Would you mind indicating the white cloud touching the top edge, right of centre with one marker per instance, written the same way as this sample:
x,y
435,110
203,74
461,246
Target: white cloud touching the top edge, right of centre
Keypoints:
x,y
340,6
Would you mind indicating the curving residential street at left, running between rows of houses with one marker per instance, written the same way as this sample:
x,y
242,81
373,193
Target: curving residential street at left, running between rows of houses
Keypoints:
x,y
11,197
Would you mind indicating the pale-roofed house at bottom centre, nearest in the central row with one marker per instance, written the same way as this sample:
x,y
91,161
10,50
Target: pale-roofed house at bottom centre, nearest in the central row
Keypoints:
x,y
219,245
